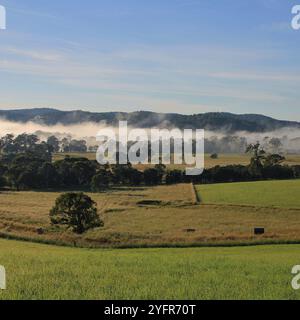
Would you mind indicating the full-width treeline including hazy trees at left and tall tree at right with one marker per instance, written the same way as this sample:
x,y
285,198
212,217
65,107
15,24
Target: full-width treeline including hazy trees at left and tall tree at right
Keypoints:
x,y
26,163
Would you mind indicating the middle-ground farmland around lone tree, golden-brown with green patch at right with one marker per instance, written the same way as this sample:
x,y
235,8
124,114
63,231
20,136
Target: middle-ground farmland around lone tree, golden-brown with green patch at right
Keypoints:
x,y
164,216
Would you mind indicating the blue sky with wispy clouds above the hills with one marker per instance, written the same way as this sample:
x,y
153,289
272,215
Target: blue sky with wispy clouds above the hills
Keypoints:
x,y
185,56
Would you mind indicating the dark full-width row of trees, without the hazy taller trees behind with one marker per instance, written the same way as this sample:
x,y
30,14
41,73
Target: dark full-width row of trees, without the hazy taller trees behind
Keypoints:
x,y
27,171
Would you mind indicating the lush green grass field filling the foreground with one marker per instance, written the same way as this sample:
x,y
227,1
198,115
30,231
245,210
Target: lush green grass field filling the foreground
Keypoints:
x,y
46,272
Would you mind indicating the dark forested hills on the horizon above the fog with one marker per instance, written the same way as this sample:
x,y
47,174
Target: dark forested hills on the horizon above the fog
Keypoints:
x,y
222,121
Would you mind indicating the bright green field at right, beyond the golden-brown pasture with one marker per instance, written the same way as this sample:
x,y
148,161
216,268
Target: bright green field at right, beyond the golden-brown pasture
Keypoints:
x,y
285,194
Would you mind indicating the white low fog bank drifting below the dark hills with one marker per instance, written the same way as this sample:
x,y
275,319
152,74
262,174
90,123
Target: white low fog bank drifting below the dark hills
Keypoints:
x,y
283,140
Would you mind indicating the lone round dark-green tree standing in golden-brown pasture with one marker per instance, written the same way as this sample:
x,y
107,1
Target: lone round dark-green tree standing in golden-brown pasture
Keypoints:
x,y
76,210
